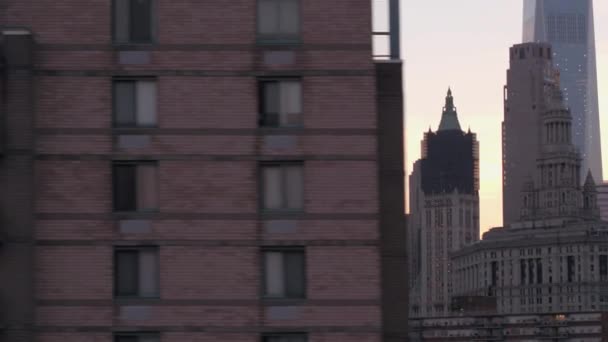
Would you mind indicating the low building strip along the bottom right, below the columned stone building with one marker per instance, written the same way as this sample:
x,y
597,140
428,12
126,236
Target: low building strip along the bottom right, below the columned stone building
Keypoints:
x,y
580,327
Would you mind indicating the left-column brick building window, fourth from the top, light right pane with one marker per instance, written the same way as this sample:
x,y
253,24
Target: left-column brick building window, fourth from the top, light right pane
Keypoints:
x,y
136,272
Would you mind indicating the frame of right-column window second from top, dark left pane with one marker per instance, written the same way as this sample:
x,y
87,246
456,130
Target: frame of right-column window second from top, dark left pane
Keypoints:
x,y
261,81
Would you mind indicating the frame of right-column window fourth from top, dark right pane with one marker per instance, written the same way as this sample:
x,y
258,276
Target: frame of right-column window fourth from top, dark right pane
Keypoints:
x,y
283,250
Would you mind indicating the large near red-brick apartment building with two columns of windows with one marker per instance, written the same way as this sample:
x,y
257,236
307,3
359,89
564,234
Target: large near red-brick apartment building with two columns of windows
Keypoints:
x,y
199,171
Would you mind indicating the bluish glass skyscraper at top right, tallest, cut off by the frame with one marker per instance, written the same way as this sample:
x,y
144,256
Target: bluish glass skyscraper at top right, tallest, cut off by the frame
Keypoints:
x,y
568,26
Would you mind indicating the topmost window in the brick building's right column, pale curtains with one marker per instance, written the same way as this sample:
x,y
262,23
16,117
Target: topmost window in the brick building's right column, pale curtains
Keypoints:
x,y
278,20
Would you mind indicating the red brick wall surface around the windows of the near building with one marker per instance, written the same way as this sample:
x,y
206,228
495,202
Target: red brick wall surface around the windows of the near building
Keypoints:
x,y
80,275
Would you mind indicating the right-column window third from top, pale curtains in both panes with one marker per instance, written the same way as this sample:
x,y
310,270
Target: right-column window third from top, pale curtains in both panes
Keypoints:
x,y
282,188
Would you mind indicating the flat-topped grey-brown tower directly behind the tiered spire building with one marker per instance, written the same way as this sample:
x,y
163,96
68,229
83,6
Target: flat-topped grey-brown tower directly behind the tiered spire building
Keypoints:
x,y
529,77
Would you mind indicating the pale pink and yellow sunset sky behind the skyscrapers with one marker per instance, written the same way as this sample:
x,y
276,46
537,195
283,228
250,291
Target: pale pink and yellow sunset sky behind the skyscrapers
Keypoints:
x,y
464,44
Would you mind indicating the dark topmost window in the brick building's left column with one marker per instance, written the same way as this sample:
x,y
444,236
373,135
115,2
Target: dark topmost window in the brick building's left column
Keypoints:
x,y
134,21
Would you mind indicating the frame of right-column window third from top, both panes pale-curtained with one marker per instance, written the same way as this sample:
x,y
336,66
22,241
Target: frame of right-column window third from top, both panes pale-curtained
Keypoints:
x,y
262,186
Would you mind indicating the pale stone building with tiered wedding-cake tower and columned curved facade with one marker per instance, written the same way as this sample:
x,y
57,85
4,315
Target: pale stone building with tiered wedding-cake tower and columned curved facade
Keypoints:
x,y
555,258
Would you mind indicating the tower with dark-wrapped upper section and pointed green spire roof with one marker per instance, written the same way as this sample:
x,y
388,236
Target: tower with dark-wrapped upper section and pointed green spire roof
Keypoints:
x,y
444,211
